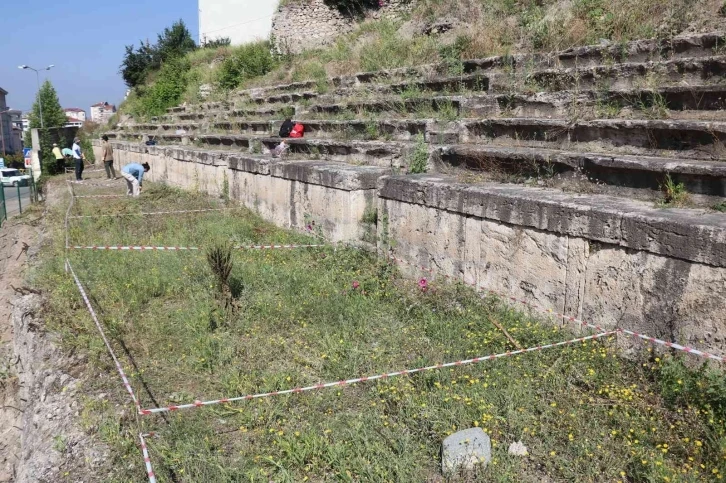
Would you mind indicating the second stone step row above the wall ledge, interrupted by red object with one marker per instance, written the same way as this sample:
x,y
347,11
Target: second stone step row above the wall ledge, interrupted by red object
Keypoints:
x,y
670,138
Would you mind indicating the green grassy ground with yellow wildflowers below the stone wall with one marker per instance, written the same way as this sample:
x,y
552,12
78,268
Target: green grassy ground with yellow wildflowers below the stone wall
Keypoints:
x,y
318,315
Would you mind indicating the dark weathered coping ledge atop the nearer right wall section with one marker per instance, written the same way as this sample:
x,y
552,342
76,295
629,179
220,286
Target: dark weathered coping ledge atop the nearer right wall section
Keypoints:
x,y
599,218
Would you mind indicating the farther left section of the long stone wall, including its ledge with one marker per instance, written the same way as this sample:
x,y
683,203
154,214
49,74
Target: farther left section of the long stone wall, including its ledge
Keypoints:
x,y
331,198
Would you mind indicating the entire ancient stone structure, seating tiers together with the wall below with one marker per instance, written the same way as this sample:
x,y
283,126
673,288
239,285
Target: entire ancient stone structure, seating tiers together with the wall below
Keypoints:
x,y
554,179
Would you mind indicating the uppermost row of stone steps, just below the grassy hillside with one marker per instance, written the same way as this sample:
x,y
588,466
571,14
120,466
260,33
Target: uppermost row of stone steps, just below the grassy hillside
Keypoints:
x,y
638,51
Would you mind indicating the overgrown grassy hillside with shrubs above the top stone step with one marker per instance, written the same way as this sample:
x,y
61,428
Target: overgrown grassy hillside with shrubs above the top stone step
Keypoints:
x,y
475,28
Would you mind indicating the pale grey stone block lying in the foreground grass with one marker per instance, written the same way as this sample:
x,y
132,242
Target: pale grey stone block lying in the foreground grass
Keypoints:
x,y
465,450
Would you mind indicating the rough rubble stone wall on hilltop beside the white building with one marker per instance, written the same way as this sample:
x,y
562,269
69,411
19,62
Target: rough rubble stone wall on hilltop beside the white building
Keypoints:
x,y
307,24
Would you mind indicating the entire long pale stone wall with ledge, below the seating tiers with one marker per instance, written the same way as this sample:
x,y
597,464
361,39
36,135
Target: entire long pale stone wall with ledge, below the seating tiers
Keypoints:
x,y
611,262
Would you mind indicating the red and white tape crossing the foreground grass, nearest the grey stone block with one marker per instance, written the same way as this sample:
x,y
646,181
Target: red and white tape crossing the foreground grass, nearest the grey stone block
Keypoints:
x,y
199,404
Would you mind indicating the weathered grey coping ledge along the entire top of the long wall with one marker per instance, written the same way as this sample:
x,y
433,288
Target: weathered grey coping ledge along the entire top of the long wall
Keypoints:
x,y
694,235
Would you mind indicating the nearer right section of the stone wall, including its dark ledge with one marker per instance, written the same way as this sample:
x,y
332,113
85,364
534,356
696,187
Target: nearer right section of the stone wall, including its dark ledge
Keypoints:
x,y
620,265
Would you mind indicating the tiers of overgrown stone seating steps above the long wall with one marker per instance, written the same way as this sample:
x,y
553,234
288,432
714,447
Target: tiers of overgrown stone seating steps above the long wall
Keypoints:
x,y
614,120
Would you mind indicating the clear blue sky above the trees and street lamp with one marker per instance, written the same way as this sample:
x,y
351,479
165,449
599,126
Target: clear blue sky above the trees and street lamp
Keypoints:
x,y
84,40
